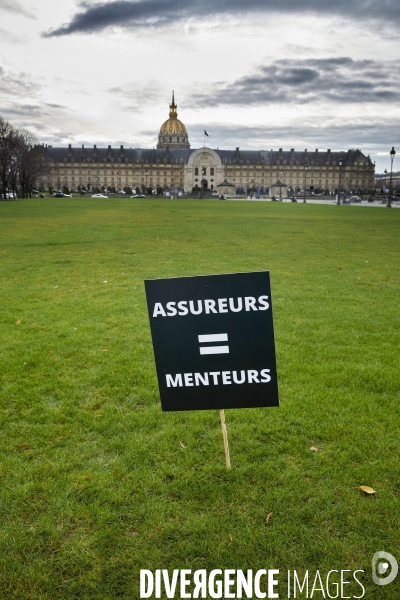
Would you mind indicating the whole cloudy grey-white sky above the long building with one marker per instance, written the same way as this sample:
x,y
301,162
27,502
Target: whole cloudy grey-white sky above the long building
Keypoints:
x,y
259,74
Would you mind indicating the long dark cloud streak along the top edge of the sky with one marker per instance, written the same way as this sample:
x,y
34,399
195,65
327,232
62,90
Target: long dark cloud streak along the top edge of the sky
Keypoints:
x,y
141,14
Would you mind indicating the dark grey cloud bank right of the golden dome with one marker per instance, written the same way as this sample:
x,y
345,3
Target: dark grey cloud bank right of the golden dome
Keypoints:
x,y
300,81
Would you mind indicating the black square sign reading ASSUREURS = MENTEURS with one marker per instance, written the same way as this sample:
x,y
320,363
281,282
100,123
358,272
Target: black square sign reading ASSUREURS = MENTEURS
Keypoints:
x,y
213,340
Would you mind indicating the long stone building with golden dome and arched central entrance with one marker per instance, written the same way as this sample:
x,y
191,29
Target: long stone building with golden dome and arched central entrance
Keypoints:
x,y
174,165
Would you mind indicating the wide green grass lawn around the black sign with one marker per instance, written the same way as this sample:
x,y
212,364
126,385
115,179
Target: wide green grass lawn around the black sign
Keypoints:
x,y
94,482
